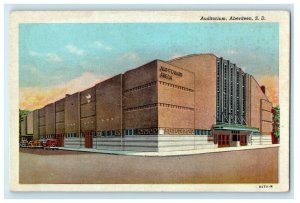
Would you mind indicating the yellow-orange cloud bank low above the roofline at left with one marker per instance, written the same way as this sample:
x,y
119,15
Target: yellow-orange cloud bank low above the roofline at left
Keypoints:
x,y
34,97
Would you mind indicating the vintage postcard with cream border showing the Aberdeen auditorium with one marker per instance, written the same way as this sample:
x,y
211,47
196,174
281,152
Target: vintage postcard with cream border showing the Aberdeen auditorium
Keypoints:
x,y
149,101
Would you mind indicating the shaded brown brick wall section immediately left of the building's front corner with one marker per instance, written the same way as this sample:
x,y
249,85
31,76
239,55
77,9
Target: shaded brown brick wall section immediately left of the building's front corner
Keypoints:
x,y
140,97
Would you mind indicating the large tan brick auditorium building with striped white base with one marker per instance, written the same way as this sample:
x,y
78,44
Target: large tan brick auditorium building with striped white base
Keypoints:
x,y
192,102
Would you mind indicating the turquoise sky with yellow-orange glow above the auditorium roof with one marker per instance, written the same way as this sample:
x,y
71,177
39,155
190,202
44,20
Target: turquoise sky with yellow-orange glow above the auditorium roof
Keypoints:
x,y
57,59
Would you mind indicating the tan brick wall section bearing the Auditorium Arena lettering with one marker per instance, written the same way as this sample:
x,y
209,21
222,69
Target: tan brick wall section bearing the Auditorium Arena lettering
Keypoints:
x,y
175,97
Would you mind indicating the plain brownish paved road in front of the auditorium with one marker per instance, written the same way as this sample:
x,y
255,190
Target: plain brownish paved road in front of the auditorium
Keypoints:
x,y
247,166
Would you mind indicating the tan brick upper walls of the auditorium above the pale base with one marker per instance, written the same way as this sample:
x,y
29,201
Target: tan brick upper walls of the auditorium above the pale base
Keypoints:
x,y
173,98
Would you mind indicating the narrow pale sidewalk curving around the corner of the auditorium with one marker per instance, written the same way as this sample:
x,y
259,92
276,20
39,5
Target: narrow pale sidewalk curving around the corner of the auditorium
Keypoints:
x,y
170,153
